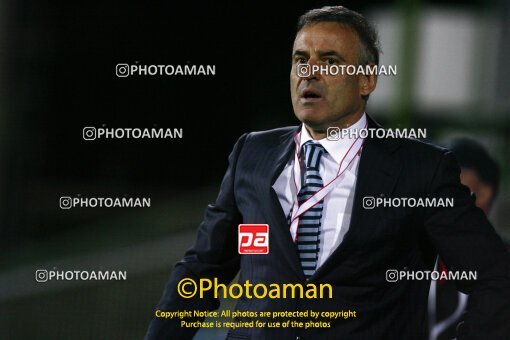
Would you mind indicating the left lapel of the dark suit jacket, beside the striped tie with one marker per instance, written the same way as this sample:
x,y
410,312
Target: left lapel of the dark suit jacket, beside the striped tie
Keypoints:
x,y
278,157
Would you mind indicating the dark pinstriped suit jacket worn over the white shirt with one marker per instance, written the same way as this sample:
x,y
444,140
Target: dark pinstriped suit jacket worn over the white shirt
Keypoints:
x,y
377,240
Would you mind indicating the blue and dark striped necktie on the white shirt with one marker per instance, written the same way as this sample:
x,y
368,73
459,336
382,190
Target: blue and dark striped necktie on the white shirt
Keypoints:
x,y
308,229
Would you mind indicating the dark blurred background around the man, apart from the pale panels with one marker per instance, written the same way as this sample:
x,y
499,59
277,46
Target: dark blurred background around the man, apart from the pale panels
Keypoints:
x,y
57,75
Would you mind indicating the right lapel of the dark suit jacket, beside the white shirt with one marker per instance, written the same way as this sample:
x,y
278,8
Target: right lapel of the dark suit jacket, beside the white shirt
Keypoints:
x,y
378,172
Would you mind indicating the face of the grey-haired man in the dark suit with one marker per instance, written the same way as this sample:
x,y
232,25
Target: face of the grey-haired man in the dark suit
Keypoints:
x,y
321,101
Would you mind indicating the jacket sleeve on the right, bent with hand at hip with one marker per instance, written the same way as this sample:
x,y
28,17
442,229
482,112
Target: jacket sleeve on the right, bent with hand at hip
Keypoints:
x,y
466,241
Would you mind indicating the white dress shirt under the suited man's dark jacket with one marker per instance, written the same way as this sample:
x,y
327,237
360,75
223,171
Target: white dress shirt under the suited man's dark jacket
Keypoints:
x,y
336,214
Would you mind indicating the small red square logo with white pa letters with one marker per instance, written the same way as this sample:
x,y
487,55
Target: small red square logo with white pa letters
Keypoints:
x,y
253,239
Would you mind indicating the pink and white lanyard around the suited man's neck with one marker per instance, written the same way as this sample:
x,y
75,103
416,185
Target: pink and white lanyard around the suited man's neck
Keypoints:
x,y
298,210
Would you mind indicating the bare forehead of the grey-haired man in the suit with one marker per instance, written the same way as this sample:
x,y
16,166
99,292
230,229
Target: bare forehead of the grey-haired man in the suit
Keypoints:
x,y
325,35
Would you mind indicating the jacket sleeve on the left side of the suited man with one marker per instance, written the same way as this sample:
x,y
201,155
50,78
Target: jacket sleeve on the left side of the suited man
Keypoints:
x,y
213,255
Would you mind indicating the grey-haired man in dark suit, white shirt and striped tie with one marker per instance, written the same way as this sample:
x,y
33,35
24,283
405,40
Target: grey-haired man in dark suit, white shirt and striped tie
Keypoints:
x,y
335,240
